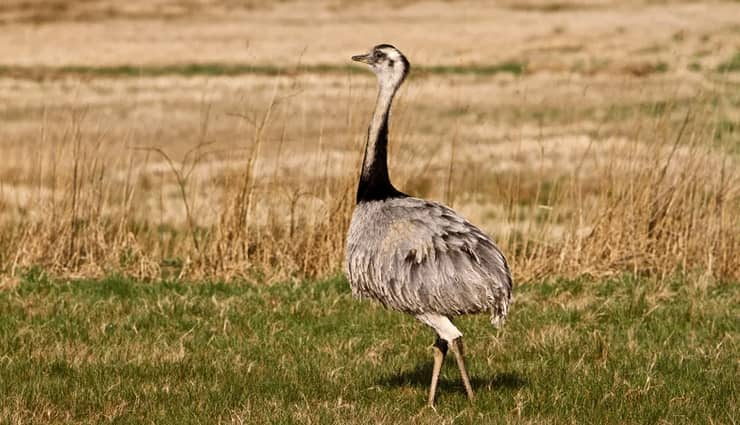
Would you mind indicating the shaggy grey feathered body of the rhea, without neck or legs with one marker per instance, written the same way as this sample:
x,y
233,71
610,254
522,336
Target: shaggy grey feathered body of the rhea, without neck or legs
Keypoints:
x,y
418,256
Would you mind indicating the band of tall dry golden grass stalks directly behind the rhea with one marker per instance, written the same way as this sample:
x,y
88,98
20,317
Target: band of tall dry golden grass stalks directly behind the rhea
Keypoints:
x,y
657,197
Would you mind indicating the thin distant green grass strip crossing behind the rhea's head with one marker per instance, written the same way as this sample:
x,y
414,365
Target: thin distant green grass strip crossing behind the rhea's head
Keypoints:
x,y
226,69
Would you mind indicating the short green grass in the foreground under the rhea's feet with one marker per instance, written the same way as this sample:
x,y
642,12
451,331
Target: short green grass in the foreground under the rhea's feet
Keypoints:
x,y
574,351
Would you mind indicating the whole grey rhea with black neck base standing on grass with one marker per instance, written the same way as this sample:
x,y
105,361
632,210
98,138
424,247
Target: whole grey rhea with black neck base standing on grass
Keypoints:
x,y
414,255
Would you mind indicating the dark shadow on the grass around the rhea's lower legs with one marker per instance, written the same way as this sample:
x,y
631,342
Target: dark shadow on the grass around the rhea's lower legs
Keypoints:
x,y
421,376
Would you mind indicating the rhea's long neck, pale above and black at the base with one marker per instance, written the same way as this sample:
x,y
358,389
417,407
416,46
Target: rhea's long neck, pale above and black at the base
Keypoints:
x,y
375,184
